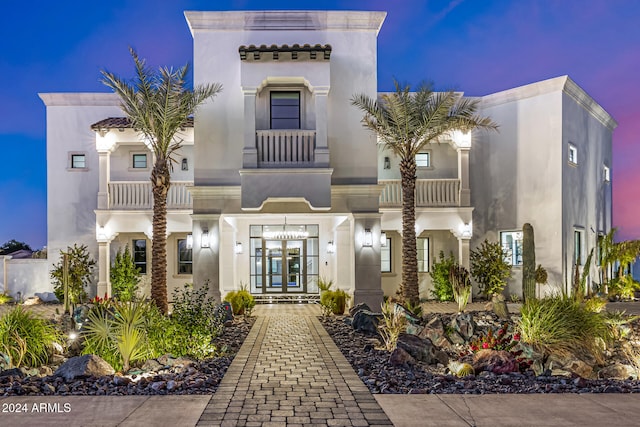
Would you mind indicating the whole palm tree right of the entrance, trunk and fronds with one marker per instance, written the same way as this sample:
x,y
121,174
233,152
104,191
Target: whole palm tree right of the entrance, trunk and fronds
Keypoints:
x,y
405,122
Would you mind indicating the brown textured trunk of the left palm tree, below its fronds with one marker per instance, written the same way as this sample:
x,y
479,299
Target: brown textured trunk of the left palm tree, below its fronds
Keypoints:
x,y
160,182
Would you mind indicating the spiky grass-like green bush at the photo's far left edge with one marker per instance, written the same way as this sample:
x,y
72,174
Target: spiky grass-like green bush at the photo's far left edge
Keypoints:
x,y
27,339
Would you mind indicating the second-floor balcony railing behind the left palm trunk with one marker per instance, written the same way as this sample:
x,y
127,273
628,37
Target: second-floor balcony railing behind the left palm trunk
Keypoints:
x,y
137,195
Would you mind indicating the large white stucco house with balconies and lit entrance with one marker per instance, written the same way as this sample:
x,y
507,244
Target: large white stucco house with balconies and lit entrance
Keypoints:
x,y
278,183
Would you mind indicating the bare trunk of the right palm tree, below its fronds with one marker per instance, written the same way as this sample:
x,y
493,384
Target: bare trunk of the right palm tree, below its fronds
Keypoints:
x,y
410,290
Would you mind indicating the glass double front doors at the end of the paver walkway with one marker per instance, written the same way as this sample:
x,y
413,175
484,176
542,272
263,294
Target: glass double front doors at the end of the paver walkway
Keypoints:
x,y
284,268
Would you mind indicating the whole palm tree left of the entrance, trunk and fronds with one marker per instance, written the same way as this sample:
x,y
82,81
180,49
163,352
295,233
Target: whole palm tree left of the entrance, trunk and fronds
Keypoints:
x,y
158,103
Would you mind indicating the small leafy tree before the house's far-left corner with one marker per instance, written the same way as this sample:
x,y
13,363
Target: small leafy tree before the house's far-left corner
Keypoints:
x,y
80,271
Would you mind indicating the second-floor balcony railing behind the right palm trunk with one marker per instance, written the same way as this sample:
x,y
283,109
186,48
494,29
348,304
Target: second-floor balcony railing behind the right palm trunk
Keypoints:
x,y
429,193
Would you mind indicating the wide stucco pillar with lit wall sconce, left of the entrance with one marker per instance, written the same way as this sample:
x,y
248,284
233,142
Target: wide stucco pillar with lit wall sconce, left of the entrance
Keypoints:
x,y
206,264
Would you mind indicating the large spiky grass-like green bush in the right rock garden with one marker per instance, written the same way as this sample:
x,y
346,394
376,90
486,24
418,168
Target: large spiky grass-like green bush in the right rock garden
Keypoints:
x,y
562,325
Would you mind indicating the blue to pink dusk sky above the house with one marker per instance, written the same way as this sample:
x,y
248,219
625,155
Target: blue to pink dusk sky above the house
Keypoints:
x,y
476,46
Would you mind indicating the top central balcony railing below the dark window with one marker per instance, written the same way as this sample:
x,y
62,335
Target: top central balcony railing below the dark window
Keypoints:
x,y
285,148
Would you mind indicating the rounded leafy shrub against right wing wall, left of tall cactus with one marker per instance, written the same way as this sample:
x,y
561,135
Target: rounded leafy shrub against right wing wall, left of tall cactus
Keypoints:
x,y
489,268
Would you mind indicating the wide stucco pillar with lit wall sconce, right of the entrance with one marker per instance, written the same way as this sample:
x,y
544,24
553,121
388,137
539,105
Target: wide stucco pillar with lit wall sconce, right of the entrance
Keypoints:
x,y
367,277
